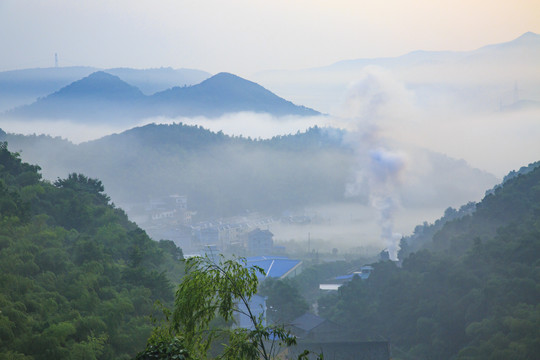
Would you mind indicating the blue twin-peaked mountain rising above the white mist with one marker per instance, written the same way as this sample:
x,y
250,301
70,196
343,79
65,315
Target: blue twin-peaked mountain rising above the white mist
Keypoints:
x,y
104,97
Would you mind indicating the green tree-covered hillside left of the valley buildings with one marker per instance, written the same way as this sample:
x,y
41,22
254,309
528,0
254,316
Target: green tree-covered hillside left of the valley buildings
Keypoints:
x,y
77,279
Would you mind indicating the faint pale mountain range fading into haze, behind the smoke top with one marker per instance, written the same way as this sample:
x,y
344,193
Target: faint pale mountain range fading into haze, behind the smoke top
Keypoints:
x,y
486,79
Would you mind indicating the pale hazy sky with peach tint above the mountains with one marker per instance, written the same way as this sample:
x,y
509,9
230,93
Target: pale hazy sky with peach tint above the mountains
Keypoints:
x,y
245,36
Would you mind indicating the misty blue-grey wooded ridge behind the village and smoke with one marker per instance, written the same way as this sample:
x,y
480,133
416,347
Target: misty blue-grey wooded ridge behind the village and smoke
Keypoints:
x,y
224,175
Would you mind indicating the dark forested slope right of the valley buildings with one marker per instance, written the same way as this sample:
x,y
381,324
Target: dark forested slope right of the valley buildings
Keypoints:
x,y
474,294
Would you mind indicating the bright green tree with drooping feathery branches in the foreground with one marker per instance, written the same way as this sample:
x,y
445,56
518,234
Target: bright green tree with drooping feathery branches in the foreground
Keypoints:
x,y
208,292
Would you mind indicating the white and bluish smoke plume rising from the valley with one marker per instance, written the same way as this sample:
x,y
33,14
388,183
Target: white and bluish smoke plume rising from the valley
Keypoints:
x,y
374,102
